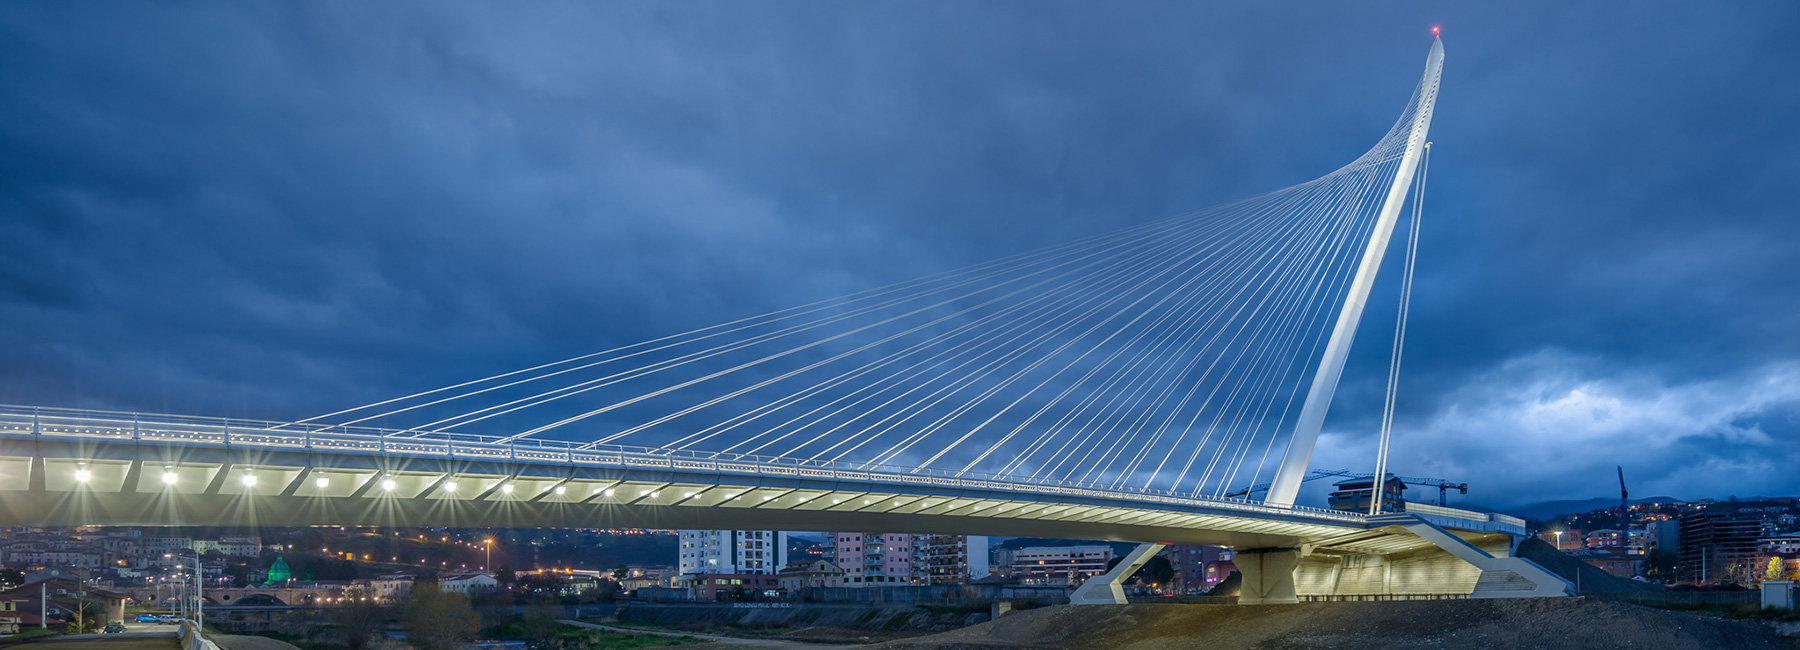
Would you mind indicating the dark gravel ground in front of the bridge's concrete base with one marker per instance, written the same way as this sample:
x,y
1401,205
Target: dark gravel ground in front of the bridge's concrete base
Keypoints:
x,y
1399,626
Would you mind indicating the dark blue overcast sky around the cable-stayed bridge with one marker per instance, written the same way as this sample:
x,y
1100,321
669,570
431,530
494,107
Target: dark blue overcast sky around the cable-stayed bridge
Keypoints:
x,y
282,210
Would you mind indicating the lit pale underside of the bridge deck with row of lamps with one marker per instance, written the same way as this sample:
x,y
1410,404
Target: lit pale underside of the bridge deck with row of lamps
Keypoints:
x,y
120,483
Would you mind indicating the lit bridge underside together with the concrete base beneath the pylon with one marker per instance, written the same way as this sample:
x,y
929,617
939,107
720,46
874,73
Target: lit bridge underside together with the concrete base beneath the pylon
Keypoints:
x,y
1284,555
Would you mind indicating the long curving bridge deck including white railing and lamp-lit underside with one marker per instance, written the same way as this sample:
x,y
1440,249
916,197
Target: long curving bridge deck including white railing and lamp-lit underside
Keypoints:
x,y
138,471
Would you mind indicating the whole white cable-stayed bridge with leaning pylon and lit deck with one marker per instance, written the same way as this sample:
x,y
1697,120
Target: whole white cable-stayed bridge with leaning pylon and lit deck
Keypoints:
x,y
1111,388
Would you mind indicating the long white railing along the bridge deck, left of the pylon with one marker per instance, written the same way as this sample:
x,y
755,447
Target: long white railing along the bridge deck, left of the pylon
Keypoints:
x,y
17,422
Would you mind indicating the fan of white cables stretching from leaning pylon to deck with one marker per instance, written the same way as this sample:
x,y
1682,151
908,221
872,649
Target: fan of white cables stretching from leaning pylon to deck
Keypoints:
x,y
1171,356
